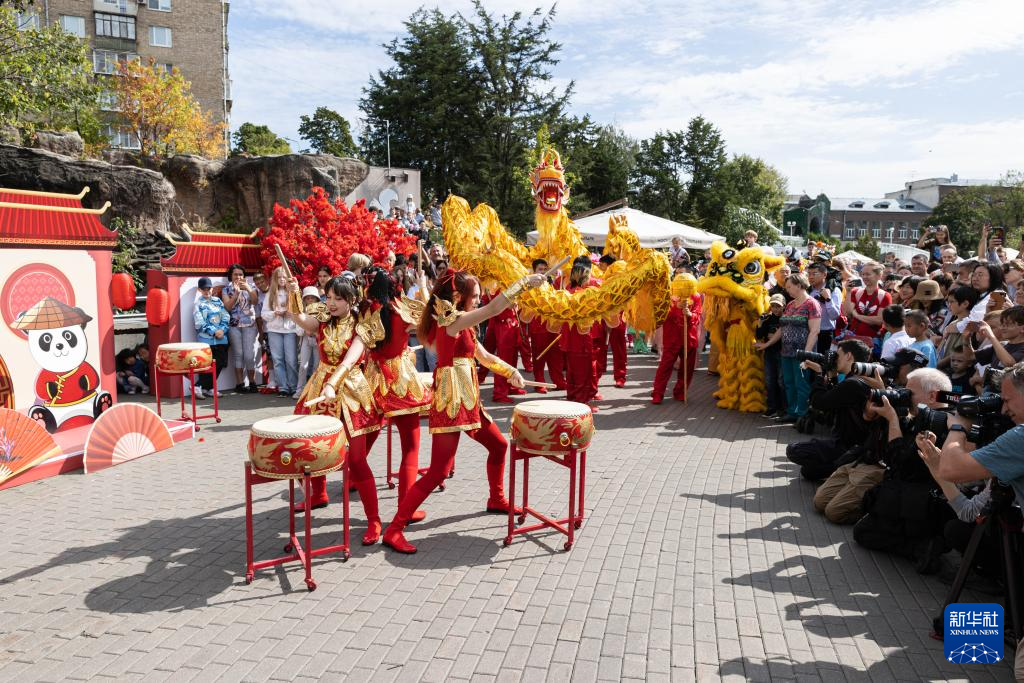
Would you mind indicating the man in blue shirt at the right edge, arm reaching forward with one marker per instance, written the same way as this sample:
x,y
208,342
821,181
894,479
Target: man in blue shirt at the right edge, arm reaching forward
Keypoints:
x,y
959,461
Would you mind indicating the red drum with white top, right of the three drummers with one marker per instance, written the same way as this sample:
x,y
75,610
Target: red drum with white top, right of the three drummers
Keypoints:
x,y
552,426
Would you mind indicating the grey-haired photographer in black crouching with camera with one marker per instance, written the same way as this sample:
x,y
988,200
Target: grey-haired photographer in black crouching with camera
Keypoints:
x,y
904,514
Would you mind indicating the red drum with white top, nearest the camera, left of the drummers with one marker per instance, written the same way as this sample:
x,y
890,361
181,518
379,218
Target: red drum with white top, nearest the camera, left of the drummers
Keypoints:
x,y
283,448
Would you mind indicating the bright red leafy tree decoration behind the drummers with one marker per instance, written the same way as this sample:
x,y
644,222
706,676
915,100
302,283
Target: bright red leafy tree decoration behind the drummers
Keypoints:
x,y
316,232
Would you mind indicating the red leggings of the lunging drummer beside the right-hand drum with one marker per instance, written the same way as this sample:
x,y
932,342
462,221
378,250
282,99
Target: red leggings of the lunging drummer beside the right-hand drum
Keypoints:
x,y
443,460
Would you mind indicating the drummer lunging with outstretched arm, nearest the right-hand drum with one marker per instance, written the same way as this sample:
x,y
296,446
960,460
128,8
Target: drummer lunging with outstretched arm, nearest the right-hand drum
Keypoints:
x,y
449,327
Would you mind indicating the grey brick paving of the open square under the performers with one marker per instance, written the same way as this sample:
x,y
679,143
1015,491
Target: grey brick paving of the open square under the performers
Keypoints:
x,y
702,559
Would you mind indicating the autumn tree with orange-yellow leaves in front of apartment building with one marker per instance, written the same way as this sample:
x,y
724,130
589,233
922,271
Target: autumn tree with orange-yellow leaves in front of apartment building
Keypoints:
x,y
159,109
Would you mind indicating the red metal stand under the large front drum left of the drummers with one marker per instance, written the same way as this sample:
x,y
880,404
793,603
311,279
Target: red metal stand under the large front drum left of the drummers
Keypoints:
x,y
304,553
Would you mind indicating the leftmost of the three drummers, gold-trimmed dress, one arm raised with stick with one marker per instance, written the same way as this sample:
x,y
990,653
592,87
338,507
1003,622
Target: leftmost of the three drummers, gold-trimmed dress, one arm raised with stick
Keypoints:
x,y
346,392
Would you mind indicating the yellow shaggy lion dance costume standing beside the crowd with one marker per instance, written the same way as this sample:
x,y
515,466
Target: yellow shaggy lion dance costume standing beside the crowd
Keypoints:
x,y
735,300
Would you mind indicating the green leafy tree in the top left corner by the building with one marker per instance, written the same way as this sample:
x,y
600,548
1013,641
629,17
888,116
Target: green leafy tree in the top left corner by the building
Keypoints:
x,y
46,78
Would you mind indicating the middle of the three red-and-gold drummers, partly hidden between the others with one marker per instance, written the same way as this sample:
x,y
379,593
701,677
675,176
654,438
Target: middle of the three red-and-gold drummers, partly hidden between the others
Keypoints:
x,y
399,393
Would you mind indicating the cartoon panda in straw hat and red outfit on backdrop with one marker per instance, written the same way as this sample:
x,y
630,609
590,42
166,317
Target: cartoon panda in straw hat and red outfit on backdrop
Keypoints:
x,y
68,390
